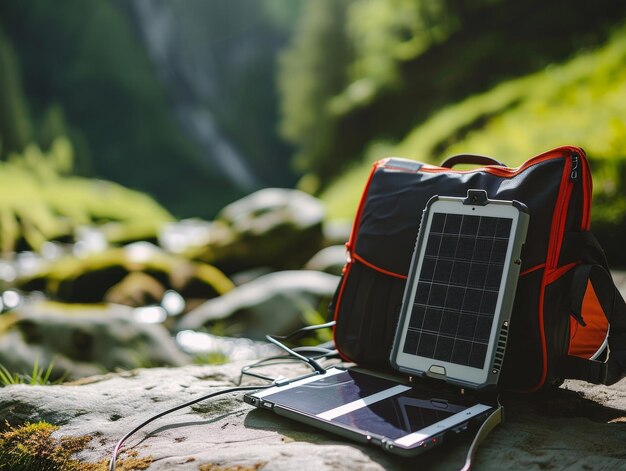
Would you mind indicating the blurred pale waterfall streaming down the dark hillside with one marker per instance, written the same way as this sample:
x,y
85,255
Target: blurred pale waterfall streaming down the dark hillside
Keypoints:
x,y
176,41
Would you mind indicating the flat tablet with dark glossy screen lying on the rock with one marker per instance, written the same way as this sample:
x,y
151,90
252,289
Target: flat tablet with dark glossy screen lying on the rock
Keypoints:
x,y
401,419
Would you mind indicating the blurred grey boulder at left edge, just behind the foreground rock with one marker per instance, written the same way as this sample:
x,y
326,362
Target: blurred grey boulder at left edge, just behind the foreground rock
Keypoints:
x,y
82,340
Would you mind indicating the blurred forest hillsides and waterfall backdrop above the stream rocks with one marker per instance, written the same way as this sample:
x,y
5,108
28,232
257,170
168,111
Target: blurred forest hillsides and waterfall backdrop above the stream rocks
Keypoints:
x,y
198,103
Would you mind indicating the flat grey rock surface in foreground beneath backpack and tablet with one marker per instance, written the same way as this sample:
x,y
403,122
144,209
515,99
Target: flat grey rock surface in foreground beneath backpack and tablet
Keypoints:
x,y
579,426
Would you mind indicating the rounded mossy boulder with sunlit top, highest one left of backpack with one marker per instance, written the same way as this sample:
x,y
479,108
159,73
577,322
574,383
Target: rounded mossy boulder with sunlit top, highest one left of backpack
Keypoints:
x,y
273,227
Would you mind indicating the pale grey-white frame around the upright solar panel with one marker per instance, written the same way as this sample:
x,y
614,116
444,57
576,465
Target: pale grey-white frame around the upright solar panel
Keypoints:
x,y
455,373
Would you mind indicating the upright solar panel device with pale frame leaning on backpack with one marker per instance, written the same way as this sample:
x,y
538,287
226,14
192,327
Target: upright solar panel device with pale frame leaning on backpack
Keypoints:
x,y
457,304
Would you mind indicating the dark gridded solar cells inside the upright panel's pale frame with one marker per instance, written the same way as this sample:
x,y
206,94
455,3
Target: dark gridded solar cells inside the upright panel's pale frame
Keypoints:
x,y
457,288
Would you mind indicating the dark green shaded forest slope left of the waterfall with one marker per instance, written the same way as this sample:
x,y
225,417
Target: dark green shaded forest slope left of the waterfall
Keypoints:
x,y
85,75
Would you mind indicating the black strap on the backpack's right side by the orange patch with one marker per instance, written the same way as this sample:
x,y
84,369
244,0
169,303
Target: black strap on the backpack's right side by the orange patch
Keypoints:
x,y
593,273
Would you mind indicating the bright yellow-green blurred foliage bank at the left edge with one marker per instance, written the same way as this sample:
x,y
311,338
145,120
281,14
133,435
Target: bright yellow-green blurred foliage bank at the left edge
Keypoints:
x,y
38,203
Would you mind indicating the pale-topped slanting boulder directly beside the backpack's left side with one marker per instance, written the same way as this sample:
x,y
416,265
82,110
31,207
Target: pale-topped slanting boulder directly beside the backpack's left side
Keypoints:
x,y
272,304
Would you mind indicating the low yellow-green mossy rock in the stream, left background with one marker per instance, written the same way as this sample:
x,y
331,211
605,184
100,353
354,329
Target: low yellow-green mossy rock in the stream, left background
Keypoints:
x,y
136,275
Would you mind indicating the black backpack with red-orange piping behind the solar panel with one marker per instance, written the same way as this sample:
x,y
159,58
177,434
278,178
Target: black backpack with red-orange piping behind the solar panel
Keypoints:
x,y
568,319
